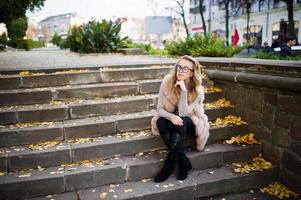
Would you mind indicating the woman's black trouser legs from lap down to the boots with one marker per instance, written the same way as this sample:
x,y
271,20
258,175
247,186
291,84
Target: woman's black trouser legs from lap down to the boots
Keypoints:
x,y
174,135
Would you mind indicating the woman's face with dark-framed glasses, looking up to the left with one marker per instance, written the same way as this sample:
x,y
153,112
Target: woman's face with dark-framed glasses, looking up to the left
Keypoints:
x,y
184,70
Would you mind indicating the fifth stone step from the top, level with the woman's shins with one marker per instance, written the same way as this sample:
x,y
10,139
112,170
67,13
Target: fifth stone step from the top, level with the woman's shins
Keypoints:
x,y
22,157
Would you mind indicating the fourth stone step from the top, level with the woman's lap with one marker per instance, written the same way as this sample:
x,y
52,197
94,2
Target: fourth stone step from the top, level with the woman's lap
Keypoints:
x,y
87,127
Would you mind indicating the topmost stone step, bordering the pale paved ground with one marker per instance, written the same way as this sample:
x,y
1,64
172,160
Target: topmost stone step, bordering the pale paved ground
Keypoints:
x,y
102,75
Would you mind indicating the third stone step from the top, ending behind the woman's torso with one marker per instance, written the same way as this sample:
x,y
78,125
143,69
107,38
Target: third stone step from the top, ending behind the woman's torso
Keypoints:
x,y
62,110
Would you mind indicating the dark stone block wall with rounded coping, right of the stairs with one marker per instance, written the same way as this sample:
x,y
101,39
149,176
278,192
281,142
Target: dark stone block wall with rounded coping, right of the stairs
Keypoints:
x,y
271,103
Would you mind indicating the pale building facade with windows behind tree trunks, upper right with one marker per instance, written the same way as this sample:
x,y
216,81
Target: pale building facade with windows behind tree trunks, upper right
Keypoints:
x,y
268,20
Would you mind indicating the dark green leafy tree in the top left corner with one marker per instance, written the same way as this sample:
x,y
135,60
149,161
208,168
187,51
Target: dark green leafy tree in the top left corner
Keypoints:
x,y
12,10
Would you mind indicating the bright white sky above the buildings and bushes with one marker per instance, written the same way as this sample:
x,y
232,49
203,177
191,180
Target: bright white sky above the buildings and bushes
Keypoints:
x,y
108,9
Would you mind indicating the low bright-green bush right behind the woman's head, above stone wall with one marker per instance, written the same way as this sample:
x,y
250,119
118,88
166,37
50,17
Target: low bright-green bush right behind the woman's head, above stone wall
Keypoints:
x,y
201,46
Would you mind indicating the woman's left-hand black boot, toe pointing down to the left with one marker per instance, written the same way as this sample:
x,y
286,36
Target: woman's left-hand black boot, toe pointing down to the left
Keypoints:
x,y
168,168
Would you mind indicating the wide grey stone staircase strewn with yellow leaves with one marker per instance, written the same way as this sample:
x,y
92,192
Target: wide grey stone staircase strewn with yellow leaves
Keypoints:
x,y
86,135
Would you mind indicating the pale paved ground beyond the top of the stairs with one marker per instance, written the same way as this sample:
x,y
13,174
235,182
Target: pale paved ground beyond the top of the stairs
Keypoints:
x,y
56,58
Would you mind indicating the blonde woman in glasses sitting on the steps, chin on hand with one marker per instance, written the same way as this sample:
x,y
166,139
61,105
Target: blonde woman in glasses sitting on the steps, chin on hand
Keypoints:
x,y
180,112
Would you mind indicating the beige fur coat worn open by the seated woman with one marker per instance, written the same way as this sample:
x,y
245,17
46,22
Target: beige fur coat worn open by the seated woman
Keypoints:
x,y
198,117
